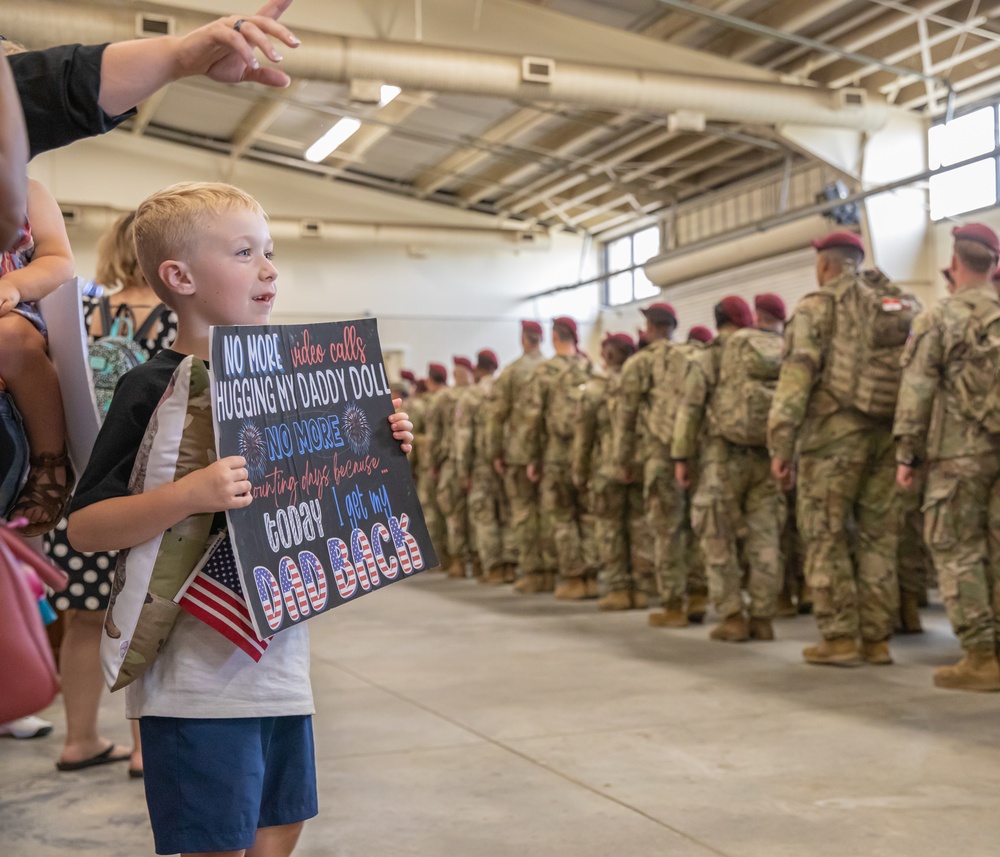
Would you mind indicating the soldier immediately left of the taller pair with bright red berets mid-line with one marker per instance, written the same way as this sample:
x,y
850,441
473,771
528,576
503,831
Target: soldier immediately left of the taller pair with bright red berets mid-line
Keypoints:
x,y
476,476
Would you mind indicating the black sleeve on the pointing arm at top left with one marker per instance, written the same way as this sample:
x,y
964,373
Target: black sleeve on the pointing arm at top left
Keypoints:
x,y
59,89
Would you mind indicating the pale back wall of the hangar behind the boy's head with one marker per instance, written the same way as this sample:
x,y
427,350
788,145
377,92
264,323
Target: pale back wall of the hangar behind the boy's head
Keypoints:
x,y
433,302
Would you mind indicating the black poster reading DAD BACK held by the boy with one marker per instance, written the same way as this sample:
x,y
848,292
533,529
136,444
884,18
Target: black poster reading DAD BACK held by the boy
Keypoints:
x,y
335,512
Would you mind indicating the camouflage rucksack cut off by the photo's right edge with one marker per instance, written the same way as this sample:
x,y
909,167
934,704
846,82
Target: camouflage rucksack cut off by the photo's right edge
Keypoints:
x,y
976,384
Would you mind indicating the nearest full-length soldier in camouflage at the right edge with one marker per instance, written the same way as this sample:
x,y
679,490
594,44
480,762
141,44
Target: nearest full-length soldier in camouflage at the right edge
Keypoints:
x,y
949,416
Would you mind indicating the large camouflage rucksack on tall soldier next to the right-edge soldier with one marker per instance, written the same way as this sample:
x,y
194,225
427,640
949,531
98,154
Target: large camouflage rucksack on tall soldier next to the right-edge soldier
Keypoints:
x,y
871,323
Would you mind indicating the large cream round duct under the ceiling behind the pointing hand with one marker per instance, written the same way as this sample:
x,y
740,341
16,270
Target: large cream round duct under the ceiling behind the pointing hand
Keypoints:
x,y
340,59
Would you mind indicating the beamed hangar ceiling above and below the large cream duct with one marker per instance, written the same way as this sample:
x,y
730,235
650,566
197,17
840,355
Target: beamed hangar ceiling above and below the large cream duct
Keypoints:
x,y
569,165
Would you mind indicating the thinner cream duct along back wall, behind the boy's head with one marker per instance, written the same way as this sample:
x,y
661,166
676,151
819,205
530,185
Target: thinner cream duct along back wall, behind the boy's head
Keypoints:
x,y
100,217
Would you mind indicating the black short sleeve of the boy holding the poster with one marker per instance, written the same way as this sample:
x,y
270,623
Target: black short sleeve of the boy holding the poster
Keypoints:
x,y
113,457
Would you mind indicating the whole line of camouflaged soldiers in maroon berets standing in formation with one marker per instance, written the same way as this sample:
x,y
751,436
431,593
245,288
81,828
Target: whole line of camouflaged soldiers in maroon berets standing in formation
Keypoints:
x,y
833,466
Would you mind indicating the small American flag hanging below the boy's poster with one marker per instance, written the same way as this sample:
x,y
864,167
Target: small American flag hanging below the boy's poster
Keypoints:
x,y
213,594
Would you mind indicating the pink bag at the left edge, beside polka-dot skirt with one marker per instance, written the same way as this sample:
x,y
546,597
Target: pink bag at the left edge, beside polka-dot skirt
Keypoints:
x,y
27,669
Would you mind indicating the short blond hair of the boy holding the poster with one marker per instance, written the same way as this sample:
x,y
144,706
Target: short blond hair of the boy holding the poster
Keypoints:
x,y
168,222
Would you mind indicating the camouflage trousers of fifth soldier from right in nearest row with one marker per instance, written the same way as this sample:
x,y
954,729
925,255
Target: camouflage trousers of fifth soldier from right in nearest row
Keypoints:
x,y
625,545
